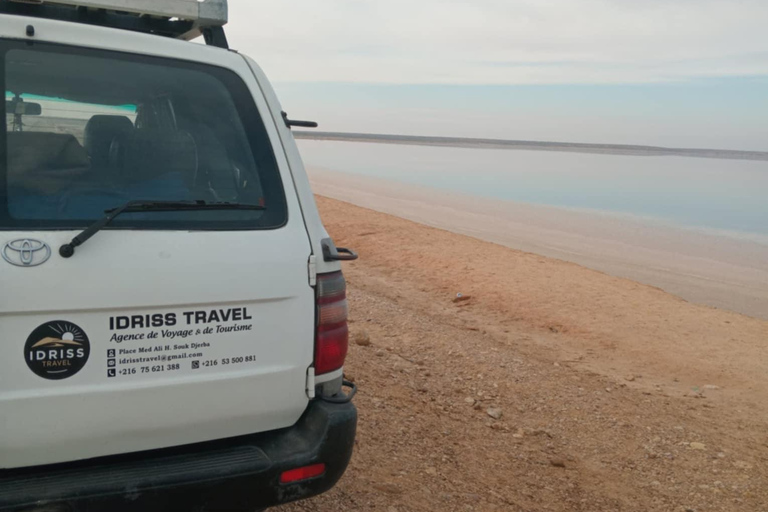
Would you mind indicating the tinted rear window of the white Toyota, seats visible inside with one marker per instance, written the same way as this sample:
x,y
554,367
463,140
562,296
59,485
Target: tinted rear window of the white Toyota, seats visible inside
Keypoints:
x,y
87,131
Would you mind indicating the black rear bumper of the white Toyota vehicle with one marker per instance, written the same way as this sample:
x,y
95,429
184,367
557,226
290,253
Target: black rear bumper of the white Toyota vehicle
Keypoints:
x,y
236,474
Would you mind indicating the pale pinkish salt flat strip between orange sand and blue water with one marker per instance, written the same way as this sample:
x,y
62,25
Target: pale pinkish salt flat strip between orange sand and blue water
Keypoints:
x,y
719,271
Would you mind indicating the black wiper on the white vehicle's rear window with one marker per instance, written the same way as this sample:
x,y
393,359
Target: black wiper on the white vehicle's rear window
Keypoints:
x,y
68,250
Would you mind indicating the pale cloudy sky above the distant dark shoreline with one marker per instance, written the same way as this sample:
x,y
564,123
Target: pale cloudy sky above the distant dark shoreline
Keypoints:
x,y
616,70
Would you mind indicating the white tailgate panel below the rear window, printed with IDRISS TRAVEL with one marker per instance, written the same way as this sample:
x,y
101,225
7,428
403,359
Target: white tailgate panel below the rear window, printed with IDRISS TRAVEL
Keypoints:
x,y
182,338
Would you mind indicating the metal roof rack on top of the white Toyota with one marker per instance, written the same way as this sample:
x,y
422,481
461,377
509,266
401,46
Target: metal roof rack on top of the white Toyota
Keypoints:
x,y
180,19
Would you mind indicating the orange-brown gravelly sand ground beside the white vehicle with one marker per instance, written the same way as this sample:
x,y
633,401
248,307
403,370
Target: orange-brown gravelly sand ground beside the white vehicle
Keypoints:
x,y
553,387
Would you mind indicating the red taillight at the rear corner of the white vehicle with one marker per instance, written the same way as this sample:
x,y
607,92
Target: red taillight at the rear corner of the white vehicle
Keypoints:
x,y
332,337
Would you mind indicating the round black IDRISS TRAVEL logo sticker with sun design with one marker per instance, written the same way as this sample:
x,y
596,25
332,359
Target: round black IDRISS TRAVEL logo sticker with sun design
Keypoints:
x,y
57,350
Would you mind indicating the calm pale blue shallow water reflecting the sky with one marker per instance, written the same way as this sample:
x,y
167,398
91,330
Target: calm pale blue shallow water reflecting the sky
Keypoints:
x,y
726,195
